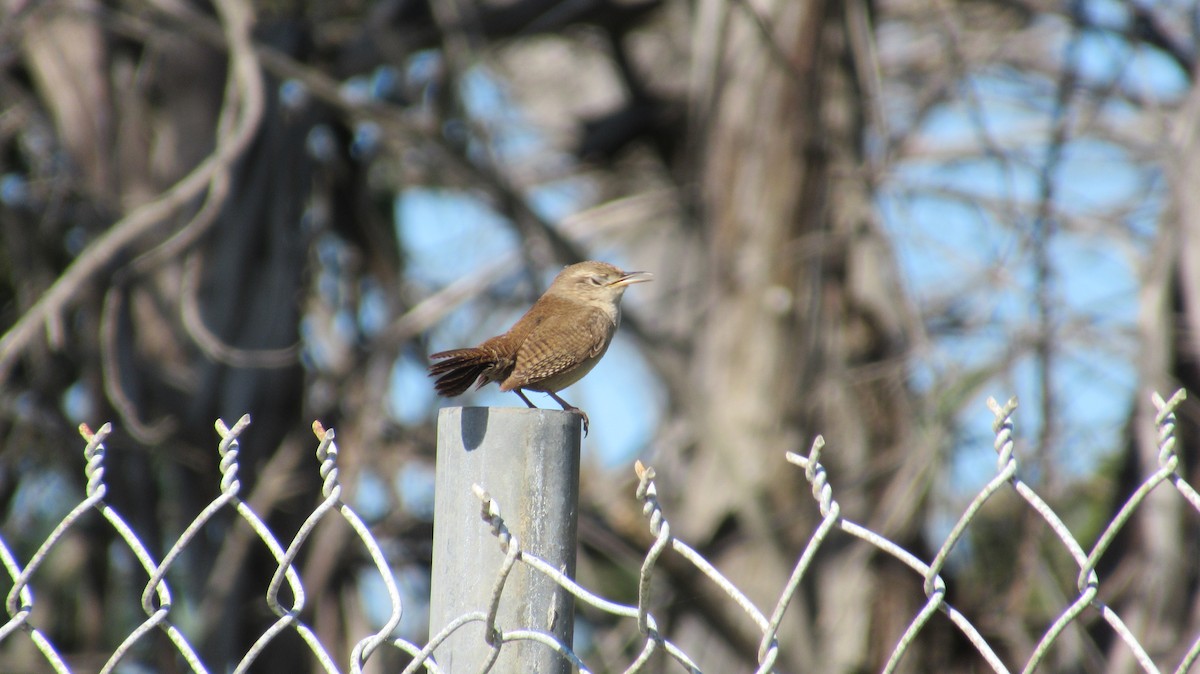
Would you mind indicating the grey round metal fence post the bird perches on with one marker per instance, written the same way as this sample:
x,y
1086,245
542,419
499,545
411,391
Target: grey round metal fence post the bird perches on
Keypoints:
x,y
529,460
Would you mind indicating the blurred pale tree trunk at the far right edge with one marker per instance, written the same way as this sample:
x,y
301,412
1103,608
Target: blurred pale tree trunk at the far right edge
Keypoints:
x,y
1150,576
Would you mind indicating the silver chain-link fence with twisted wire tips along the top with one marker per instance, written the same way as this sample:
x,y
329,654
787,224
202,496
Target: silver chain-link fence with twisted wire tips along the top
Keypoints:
x,y
157,598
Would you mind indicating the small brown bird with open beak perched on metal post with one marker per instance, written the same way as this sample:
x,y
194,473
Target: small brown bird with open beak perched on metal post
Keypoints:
x,y
559,341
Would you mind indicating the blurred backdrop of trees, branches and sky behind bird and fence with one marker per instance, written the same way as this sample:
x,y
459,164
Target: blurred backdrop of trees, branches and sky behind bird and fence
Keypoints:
x,y
865,218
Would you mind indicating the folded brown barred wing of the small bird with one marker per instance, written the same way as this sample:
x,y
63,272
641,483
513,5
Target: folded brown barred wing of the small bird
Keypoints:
x,y
561,342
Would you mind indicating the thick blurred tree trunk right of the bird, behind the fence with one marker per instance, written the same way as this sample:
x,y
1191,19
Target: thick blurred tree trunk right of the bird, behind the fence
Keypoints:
x,y
805,333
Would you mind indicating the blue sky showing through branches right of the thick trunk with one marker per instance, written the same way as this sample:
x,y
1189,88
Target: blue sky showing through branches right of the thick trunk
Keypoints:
x,y
962,233
